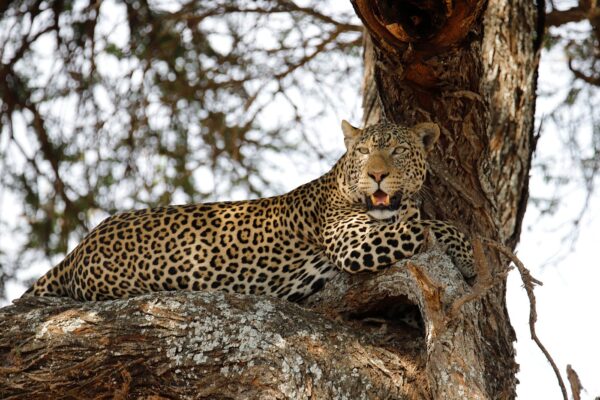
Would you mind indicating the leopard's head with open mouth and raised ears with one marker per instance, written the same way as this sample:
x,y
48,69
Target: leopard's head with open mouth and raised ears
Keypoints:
x,y
385,164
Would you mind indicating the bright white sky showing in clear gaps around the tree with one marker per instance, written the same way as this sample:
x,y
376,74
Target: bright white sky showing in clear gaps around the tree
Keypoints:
x,y
568,302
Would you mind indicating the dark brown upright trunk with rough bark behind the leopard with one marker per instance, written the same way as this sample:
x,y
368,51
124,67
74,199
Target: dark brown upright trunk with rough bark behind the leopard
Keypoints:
x,y
470,66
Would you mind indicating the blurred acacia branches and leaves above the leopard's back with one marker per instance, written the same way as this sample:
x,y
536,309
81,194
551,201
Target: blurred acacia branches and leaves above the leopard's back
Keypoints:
x,y
107,106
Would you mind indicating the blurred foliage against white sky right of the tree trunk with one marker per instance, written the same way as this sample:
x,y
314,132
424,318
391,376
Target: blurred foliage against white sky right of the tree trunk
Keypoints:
x,y
572,45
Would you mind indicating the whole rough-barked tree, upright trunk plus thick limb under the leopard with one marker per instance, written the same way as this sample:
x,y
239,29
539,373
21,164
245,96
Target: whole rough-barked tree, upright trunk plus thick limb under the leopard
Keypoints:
x,y
471,69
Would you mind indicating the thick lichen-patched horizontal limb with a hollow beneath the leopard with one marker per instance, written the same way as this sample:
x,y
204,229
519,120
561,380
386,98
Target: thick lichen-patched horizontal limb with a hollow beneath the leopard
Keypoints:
x,y
347,344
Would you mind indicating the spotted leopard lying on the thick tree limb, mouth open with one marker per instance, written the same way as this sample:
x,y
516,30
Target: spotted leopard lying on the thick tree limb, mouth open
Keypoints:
x,y
361,216
